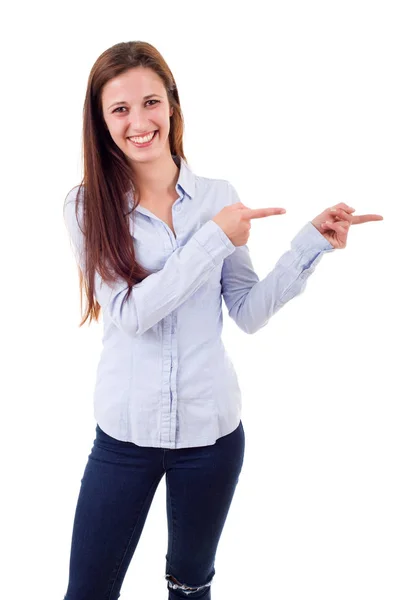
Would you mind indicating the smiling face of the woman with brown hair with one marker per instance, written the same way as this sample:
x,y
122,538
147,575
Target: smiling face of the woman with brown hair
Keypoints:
x,y
136,104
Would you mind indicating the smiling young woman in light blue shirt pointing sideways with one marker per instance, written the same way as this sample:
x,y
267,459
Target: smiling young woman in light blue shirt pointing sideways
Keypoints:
x,y
157,248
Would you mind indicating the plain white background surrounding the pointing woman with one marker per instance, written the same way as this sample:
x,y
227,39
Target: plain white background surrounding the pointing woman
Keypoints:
x,y
297,104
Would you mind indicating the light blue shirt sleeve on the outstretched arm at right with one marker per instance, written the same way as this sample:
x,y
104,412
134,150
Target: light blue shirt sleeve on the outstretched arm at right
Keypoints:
x,y
251,302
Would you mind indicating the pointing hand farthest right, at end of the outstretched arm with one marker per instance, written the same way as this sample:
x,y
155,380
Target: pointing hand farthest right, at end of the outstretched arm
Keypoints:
x,y
334,223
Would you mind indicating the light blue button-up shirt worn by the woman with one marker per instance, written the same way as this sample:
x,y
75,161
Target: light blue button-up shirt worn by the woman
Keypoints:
x,y
164,378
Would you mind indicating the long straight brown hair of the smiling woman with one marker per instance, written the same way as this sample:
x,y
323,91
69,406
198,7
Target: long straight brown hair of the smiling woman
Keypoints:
x,y
108,177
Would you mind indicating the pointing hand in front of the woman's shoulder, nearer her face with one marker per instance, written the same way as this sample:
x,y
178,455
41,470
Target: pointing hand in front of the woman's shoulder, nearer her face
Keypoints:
x,y
234,220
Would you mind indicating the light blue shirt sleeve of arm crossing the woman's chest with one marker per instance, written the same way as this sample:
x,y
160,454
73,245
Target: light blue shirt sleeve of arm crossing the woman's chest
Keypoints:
x,y
186,269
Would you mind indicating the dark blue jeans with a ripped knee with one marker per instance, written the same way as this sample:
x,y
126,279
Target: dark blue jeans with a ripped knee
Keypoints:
x,y
117,488
